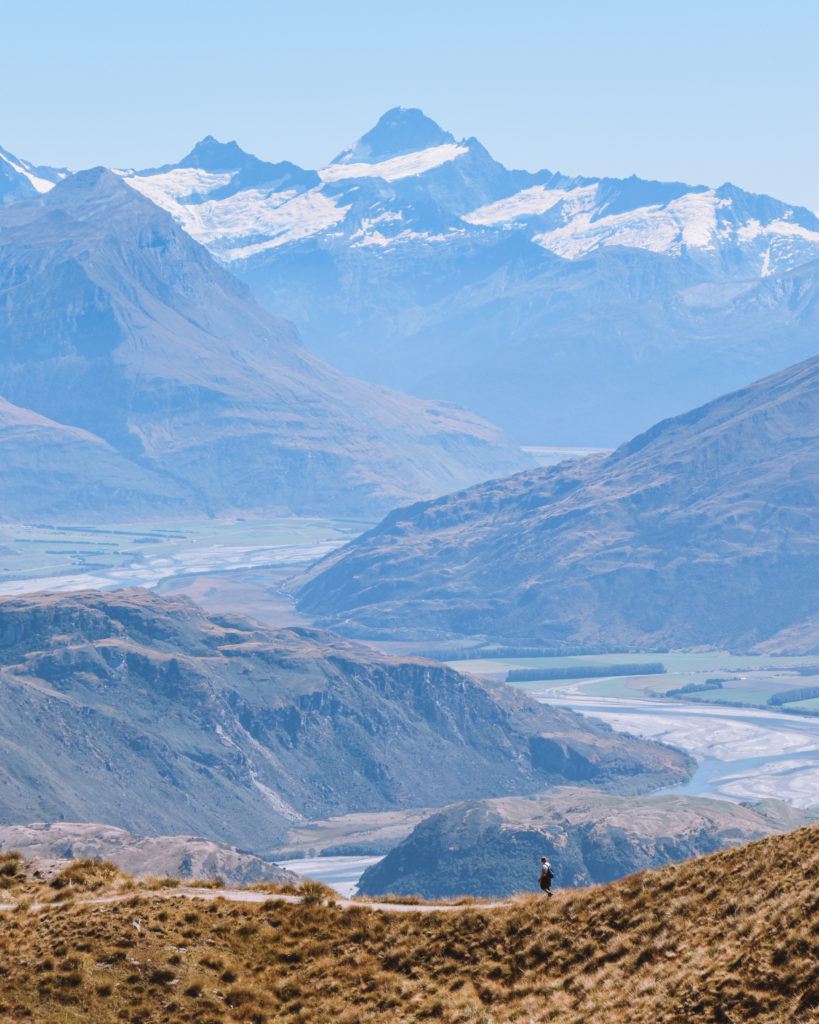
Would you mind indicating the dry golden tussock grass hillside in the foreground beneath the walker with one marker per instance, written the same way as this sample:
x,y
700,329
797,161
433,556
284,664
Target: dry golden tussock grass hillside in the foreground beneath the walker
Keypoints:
x,y
729,938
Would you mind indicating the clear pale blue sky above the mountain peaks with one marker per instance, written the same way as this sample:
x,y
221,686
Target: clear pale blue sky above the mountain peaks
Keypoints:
x,y
699,92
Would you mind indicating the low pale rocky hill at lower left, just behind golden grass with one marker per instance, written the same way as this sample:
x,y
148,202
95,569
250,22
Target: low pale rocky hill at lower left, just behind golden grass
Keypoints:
x,y
167,857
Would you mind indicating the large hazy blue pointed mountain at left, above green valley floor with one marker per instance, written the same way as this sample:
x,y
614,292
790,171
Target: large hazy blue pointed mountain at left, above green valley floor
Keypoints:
x,y
115,323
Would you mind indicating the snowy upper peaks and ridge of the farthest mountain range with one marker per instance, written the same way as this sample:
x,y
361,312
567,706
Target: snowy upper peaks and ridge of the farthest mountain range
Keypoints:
x,y
240,206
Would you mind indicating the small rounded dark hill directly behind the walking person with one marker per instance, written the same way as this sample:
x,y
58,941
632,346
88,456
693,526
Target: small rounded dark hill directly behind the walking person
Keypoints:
x,y
493,848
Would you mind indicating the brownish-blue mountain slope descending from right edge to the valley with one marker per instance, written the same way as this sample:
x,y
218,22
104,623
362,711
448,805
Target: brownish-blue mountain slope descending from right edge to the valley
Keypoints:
x,y
703,531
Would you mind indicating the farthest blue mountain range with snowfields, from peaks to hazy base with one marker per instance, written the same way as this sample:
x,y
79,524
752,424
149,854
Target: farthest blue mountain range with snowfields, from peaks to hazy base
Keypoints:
x,y
570,311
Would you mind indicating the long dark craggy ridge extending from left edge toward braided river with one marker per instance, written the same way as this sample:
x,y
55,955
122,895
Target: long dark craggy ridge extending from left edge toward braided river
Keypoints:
x,y
144,713
